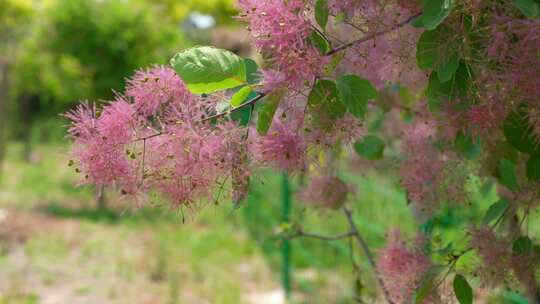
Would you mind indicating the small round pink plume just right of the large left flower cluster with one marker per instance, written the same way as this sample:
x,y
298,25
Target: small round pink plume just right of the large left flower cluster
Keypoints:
x,y
281,148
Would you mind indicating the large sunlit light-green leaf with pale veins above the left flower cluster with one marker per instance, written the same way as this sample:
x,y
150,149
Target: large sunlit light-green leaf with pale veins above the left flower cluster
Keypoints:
x,y
207,69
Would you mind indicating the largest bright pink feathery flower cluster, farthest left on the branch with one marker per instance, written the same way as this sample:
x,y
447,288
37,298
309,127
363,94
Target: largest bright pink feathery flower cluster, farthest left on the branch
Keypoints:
x,y
153,138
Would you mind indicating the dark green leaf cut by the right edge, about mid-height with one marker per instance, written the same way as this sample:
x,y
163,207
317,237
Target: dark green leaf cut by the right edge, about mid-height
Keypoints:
x,y
518,131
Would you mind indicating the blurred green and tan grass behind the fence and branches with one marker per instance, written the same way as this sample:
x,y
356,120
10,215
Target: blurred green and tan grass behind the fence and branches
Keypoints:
x,y
214,255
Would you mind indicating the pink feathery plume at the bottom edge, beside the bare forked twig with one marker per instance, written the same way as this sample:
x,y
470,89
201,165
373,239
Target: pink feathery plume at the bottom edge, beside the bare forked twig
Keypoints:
x,y
402,268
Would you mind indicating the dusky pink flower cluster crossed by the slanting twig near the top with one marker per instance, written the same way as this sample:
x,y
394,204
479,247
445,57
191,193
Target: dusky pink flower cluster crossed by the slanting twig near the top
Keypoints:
x,y
388,58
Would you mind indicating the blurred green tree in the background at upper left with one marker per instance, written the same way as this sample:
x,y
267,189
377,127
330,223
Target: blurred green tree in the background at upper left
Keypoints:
x,y
84,49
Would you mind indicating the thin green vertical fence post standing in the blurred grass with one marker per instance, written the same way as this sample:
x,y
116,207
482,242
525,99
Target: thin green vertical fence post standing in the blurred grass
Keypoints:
x,y
286,246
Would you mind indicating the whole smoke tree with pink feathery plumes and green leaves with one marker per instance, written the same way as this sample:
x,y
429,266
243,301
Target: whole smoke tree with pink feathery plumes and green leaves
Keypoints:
x,y
458,84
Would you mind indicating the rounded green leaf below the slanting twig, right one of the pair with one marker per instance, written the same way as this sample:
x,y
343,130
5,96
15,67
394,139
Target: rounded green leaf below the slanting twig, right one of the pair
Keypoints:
x,y
355,93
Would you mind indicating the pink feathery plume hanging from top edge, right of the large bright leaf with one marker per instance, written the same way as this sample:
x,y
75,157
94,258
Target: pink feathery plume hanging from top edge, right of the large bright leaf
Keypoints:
x,y
280,32
